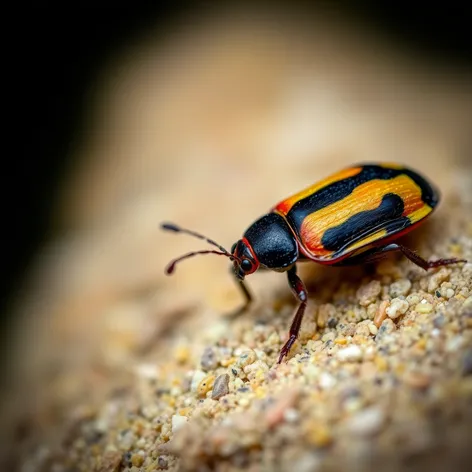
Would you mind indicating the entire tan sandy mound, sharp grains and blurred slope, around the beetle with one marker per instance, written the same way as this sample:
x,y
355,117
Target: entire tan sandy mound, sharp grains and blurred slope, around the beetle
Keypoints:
x,y
120,368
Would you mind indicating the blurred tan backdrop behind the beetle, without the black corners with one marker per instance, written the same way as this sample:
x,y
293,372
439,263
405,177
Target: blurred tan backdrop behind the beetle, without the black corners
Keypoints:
x,y
209,127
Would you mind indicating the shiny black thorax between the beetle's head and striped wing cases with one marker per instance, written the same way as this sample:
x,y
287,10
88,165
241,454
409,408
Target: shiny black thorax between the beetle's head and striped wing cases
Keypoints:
x,y
272,242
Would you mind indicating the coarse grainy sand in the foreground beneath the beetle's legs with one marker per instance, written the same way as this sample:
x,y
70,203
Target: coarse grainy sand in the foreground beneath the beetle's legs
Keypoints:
x,y
380,377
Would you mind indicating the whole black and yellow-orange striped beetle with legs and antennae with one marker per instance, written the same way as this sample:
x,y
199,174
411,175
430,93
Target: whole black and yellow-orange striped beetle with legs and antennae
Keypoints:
x,y
351,217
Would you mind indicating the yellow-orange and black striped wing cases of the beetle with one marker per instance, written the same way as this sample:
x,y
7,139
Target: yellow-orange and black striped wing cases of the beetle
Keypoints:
x,y
357,207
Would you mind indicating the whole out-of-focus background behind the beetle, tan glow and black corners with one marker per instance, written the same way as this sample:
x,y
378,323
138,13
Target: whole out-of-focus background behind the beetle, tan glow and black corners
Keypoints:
x,y
204,114
